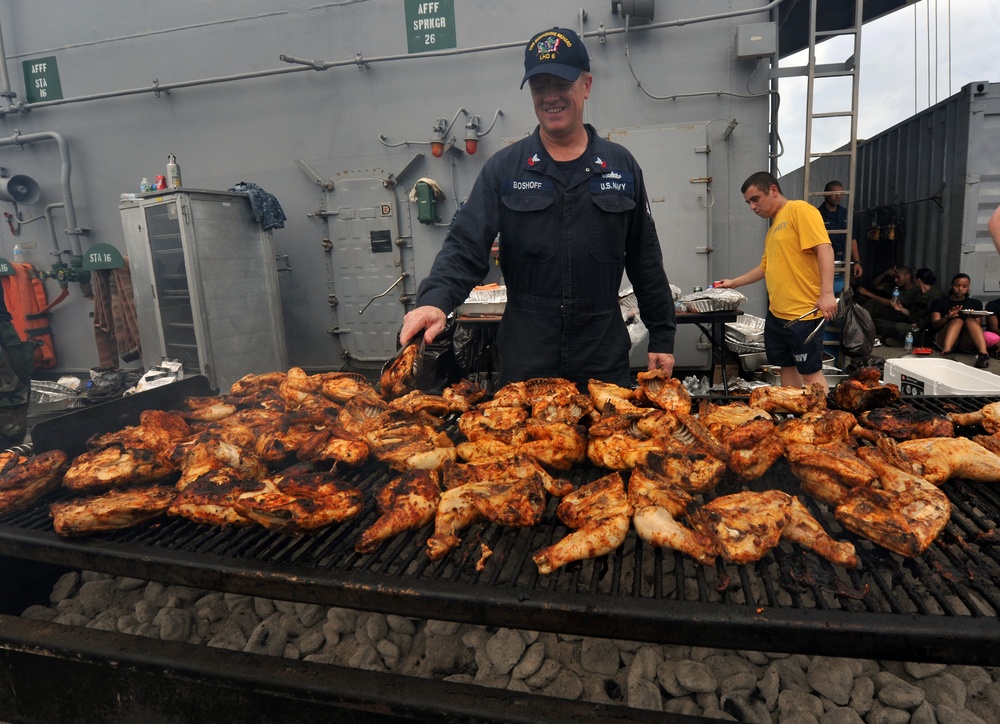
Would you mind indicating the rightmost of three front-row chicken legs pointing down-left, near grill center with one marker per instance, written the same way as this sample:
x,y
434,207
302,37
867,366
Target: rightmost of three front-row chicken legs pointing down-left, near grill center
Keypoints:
x,y
599,514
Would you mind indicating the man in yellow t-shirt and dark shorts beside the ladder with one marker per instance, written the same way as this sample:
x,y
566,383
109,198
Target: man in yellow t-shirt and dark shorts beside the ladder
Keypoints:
x,y
797,267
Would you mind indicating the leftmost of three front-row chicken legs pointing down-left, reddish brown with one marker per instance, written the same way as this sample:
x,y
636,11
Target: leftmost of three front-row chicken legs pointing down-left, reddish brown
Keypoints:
x,y
408,502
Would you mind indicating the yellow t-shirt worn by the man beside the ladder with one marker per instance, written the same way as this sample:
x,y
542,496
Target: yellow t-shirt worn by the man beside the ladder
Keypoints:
x,y
791,270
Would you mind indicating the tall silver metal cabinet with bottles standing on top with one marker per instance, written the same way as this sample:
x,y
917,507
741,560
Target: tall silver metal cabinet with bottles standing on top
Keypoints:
x,y
206,284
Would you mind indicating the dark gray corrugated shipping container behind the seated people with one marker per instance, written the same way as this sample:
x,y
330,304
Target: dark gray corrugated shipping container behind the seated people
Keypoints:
x,y
939,172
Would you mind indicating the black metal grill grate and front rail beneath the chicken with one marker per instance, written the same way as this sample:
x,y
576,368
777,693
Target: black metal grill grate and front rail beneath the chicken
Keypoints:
x,y
940,607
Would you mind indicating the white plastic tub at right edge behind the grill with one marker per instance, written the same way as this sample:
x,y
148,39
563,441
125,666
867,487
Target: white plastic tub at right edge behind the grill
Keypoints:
x,y
918,376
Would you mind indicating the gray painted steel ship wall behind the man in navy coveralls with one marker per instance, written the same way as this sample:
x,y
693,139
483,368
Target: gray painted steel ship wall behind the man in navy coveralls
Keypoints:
x,y
256,129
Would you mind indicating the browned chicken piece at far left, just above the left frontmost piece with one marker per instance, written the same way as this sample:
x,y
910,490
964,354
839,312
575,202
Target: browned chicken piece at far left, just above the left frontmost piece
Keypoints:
x,y
116,467
